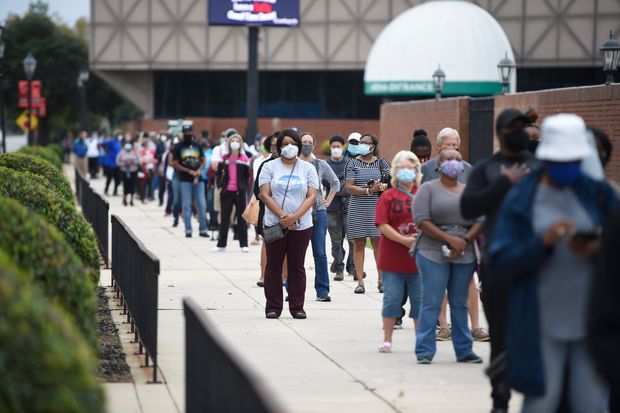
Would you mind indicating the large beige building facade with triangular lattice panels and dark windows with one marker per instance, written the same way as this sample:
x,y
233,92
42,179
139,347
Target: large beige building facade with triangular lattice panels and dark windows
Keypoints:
x,y
163,55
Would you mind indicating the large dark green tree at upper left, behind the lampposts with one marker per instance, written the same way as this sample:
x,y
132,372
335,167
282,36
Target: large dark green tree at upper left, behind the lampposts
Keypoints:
x,y
61,52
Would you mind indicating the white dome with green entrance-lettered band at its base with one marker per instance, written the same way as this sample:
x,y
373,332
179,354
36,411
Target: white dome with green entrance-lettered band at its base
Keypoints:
x,y
461,37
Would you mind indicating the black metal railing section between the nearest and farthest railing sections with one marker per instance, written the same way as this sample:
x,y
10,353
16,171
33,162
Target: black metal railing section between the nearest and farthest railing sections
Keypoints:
x,y
135,274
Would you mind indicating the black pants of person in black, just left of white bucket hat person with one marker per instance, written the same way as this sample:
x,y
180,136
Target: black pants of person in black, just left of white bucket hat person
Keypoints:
x,y
494,298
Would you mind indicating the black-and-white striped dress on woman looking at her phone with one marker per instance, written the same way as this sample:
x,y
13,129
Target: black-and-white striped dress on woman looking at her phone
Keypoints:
x,y
361,211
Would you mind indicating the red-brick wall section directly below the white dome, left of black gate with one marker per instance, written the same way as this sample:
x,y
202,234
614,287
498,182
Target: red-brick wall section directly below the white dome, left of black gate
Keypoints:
x,y
400,119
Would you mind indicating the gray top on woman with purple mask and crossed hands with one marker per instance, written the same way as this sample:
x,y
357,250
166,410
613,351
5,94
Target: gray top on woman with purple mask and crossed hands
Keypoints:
x,y
435,203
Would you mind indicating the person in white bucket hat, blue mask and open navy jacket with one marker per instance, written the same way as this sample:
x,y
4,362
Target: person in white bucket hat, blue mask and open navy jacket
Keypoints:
x,y
545,243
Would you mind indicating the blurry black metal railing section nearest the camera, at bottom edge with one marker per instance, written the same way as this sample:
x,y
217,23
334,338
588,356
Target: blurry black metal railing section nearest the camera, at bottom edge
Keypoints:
x,y
216,378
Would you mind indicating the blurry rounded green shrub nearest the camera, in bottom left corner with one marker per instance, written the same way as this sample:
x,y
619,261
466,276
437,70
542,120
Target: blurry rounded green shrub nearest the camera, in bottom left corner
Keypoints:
x,y
45,366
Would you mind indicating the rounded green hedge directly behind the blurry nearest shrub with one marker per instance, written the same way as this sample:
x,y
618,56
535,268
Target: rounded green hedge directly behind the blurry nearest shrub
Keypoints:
x,y
39,248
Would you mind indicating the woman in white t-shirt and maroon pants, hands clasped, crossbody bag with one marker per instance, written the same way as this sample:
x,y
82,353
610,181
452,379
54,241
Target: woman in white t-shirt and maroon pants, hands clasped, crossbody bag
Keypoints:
x,y
288,188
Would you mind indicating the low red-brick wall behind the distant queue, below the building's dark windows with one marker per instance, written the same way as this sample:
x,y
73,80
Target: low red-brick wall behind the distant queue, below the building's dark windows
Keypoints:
x,y
322,128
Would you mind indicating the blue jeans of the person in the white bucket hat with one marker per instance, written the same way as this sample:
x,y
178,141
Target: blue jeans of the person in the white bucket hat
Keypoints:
x,y
586,391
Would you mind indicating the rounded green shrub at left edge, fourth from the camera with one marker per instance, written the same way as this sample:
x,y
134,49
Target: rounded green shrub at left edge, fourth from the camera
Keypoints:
x,y
30,163
